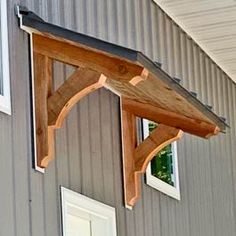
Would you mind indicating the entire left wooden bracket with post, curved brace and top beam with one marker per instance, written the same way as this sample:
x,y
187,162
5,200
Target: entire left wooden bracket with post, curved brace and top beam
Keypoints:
x,y
51,107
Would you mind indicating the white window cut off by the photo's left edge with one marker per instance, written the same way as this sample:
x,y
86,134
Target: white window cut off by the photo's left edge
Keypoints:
x,y
5,105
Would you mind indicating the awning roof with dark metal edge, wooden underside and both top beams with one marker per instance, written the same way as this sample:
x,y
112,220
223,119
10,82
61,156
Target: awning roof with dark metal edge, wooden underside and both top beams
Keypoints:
x,y
147,90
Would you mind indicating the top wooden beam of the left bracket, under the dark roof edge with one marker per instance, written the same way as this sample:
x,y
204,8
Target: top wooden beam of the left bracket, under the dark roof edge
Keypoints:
x,y
78,55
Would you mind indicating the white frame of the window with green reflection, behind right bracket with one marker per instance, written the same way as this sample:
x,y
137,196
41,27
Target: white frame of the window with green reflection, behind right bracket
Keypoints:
x,y
172,191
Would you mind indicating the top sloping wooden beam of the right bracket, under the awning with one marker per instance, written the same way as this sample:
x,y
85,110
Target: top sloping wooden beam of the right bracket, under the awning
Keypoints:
x,y
159,115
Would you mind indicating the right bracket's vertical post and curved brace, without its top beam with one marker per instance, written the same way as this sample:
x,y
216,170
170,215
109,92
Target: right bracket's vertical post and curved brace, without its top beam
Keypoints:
x,y
136,157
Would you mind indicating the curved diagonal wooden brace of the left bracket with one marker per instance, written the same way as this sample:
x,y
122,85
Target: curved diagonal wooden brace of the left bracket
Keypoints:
x,y
78,85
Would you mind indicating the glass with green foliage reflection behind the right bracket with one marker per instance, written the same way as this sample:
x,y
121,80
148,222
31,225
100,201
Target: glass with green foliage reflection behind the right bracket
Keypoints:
x,y
162,163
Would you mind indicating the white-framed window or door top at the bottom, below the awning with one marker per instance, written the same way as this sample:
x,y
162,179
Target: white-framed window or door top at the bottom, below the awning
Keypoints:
x,y
83,216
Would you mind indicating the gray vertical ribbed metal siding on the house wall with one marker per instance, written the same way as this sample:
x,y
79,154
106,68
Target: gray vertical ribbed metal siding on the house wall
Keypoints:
x,y
88,146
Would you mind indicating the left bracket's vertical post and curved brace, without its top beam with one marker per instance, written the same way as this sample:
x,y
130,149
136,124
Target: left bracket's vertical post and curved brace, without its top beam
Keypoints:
x,y
51,108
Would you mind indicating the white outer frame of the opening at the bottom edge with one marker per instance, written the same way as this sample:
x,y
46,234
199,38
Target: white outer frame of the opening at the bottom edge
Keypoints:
x,y
80,202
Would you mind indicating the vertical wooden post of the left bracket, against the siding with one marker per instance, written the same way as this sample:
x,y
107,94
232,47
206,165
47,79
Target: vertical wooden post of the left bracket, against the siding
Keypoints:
x,y
42,89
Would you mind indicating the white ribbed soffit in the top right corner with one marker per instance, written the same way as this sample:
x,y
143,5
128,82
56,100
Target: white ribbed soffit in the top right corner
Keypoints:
x,y
212,24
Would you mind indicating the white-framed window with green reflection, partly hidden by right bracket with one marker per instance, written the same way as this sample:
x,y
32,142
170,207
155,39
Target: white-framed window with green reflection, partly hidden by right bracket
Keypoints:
x,y
162,173
